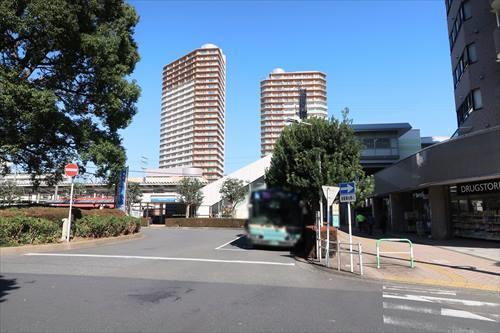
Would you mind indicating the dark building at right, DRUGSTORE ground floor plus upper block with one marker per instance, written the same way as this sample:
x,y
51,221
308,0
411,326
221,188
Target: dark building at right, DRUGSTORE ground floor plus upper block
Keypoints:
x,y
452,188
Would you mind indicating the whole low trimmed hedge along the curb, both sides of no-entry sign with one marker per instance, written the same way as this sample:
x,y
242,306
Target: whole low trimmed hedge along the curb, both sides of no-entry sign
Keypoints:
x,y
39,225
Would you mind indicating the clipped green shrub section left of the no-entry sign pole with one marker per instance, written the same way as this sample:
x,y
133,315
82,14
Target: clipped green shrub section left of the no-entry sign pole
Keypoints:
x,y
21,230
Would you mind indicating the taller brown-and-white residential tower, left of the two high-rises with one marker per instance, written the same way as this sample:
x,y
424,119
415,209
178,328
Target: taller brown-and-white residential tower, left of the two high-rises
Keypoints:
x,y
193,112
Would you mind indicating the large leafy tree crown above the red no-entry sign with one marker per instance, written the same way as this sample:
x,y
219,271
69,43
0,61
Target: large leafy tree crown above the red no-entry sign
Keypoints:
x,y
64,86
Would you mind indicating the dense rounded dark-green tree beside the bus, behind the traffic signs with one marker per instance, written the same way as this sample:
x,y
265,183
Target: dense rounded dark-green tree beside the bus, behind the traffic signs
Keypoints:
x,y
300,150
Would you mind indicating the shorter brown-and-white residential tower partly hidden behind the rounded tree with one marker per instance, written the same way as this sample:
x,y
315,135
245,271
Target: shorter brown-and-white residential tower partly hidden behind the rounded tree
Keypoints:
x,y
282,96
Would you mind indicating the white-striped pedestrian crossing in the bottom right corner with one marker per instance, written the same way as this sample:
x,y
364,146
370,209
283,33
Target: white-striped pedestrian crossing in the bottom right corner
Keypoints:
x,y
411,308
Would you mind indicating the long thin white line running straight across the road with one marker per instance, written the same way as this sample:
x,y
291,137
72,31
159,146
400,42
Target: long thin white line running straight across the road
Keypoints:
x,y
160,258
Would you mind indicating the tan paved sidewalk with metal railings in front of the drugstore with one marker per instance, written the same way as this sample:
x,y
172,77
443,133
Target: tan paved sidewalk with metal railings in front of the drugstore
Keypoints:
x,y
434,264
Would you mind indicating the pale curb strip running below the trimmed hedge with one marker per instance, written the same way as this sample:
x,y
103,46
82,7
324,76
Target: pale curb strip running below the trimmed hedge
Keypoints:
x,y
80,244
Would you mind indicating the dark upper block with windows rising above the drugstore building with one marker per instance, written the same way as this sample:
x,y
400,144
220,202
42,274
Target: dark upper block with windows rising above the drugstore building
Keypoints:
x,y
473,27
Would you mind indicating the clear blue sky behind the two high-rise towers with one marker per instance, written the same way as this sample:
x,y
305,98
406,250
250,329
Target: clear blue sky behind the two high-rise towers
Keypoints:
x,y
388,61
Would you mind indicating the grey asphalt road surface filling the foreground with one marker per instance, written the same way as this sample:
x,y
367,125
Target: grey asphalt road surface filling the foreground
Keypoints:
x,y
197,280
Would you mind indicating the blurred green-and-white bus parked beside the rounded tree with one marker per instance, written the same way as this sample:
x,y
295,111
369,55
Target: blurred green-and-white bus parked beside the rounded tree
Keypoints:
x,y
275,218
